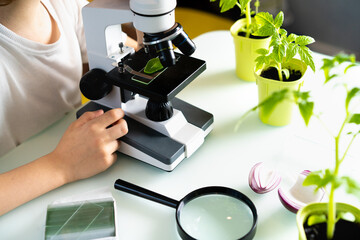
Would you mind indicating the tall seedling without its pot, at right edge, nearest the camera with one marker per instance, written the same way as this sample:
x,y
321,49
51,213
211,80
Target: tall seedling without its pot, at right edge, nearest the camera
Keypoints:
x,y
329,177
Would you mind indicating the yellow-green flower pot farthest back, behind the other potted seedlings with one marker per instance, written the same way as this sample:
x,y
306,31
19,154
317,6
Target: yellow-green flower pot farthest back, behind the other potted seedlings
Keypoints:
x,y
245,51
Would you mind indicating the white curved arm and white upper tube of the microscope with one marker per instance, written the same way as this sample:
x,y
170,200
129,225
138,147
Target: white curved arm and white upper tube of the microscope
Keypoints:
x,y
100,16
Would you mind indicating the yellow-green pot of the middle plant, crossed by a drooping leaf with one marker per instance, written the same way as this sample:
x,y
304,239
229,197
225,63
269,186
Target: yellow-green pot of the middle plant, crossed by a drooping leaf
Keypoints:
x,y
282,113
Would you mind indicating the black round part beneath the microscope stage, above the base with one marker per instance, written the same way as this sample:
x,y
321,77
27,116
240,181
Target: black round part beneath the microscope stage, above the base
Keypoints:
x,y
158,111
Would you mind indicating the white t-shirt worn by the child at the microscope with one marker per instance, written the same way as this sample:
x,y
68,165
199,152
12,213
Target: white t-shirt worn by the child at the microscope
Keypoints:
x,y
39,83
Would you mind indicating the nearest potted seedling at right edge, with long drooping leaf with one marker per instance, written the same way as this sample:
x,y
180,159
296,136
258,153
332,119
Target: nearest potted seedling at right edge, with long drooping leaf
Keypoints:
x,y
325,215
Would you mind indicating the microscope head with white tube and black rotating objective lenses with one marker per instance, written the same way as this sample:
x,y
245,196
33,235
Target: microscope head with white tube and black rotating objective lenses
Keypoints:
x,y
156,19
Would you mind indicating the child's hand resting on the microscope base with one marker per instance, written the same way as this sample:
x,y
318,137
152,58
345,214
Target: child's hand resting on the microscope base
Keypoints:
x,y
89,144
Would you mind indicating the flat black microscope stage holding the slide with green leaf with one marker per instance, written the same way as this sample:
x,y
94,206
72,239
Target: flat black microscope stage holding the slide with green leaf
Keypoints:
x,y
166,85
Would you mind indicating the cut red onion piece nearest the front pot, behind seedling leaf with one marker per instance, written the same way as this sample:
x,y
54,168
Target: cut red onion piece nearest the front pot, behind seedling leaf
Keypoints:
x,y
296,196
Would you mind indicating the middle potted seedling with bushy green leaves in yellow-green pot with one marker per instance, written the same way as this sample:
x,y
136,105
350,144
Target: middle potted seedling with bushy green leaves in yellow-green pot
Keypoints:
x,y
277,68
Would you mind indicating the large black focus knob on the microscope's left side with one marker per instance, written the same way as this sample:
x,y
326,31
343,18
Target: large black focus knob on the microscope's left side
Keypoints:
x,y
93,84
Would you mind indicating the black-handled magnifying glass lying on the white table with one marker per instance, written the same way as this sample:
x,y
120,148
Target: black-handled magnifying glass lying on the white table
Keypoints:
x,y
207,213
